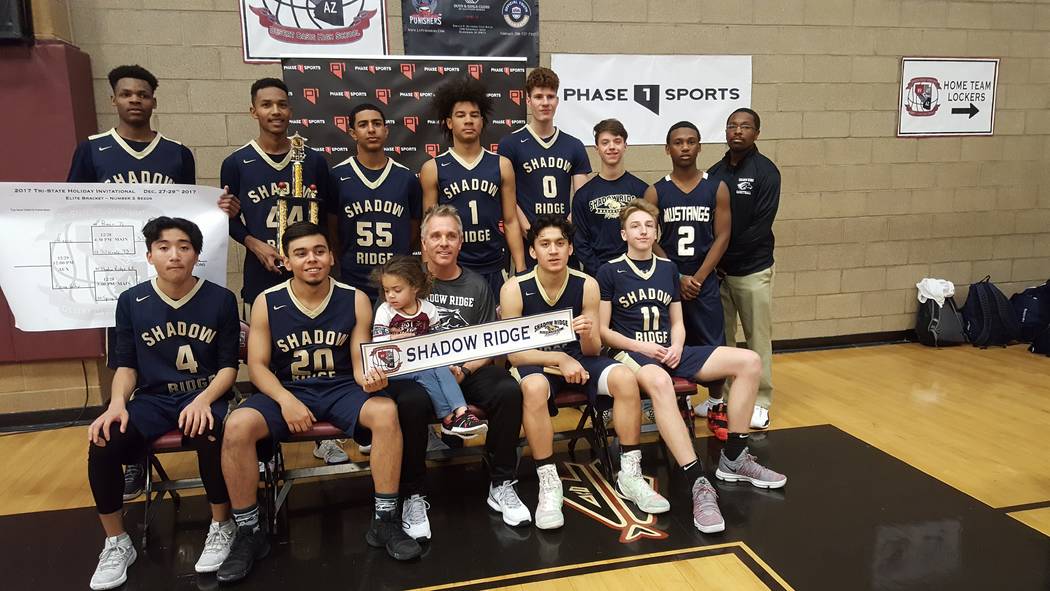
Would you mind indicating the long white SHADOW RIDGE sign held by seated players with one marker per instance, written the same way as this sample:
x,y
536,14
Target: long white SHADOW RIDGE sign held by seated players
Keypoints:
x,y
459,346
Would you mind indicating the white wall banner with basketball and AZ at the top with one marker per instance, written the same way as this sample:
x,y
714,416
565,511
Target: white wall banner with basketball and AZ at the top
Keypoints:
x,y
272,30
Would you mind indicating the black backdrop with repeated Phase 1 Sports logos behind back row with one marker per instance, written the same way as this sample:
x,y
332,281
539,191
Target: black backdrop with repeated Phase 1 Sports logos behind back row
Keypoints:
x,y
324,92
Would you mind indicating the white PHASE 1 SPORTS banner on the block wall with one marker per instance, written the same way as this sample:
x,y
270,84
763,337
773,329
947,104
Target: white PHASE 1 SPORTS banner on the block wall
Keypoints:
x,y
650,94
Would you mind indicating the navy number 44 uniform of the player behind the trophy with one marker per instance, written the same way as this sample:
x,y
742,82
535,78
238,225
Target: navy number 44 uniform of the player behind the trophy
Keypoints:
x,y
257,179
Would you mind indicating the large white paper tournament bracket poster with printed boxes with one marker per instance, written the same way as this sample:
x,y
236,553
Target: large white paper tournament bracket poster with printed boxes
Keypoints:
x,y
69,250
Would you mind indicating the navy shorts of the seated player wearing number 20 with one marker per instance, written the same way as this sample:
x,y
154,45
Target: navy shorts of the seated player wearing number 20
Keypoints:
x,y
338,402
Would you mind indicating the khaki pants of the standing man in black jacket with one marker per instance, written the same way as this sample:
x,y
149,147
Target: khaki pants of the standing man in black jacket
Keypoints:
x,y
751,297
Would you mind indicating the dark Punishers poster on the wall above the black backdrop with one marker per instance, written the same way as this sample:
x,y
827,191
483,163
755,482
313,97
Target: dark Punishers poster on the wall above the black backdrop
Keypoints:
x,y
474,28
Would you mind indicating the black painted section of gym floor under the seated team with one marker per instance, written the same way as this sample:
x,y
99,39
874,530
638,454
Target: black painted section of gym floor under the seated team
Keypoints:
x,y
851,518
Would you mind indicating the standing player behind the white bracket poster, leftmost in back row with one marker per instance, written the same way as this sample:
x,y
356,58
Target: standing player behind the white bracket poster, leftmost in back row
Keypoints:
x,y
134,153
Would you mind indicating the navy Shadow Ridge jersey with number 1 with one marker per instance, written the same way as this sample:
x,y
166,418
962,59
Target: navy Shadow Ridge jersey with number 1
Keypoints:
x,y
474,191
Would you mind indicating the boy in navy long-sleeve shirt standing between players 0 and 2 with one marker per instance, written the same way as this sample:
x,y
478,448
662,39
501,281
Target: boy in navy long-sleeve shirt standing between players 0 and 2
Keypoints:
x,y
596,208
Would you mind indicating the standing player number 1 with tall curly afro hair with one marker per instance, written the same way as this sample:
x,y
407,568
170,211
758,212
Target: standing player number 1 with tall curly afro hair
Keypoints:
x,y
478,183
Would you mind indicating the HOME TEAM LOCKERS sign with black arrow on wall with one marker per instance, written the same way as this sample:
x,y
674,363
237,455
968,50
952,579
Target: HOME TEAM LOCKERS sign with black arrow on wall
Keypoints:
x,y
948,97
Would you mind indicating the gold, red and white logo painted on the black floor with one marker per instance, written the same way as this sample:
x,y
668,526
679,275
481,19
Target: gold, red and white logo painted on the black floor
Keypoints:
x,y
587,492
